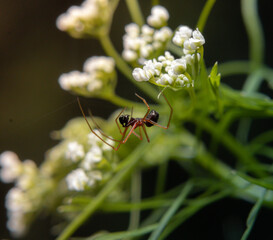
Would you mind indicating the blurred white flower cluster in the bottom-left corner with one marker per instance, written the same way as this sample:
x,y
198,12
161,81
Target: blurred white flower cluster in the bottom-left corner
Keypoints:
x,y
20,200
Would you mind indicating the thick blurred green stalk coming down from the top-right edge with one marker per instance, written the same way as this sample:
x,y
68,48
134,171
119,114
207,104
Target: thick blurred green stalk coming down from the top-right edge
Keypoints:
x,y
254,30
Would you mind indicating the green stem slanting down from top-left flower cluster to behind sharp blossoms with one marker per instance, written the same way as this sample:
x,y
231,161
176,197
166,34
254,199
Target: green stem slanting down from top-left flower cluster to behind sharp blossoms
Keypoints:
x,y
124,68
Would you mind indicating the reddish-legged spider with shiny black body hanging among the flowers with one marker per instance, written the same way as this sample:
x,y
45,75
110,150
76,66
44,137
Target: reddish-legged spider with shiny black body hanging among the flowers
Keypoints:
x,y
150,119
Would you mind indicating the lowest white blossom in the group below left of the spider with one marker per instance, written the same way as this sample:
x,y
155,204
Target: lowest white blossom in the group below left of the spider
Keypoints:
x,y
77,180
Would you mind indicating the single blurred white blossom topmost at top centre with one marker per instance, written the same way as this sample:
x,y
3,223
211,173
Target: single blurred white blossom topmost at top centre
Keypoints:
x,y
159,17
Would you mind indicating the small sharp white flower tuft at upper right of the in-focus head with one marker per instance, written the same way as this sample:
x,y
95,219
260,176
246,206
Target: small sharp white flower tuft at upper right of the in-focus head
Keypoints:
x,y
188,39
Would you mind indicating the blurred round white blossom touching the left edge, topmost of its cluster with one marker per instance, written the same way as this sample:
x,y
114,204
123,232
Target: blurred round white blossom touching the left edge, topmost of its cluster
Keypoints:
x,y
11,167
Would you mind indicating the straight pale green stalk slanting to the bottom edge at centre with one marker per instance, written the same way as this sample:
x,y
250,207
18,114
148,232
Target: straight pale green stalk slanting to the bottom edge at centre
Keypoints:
x,y
171,211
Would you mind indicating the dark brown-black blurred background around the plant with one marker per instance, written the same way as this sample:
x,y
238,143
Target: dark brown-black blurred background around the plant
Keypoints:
x,y
33,54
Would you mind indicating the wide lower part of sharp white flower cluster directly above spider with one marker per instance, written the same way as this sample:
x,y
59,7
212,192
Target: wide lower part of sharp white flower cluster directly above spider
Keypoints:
x,y
167,71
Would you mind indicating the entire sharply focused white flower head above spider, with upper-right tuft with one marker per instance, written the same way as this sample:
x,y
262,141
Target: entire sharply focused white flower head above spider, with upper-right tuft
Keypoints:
x,y
166,71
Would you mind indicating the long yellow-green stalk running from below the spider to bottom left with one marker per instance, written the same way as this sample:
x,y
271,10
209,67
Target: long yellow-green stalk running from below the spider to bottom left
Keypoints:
x,y
129,163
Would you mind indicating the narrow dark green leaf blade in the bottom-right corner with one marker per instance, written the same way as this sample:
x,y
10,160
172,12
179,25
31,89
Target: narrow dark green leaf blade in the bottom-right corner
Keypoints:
x,y
253,215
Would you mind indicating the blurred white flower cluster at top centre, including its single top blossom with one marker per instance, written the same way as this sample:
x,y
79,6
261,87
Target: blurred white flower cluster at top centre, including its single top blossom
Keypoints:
x,y
141,43
